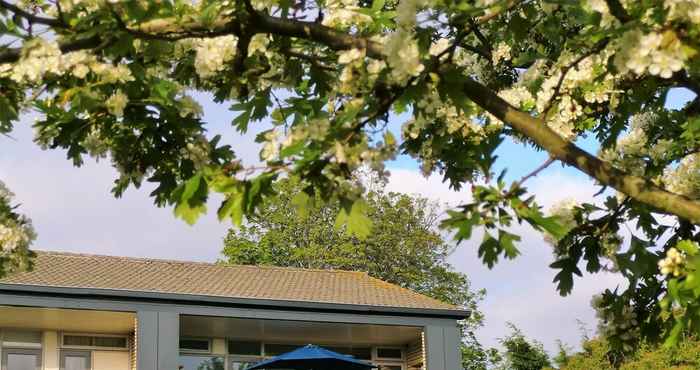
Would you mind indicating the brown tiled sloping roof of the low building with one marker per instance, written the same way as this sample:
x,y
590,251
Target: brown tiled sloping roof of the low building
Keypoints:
x,y
68,270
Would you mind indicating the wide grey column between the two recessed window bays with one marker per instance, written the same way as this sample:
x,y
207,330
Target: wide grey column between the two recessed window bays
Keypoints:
x,y
157,340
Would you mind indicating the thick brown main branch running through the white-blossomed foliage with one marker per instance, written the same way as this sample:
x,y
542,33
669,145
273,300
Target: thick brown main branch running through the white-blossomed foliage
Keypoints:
x,y
636,187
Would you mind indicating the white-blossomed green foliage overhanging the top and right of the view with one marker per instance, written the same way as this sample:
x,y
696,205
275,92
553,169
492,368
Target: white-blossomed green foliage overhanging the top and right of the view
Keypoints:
x,y
115,79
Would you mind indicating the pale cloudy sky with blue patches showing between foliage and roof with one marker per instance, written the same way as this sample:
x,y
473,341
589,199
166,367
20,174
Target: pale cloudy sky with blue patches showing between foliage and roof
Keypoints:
x,y
73,210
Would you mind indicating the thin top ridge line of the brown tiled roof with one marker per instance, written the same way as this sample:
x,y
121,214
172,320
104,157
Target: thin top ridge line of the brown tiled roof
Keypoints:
x,y
185,262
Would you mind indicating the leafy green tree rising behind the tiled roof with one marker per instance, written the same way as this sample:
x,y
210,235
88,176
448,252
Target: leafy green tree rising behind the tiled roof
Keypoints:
x,y
404,248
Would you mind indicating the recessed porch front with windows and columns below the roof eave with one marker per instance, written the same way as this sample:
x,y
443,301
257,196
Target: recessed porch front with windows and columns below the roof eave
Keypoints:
x,y
54,338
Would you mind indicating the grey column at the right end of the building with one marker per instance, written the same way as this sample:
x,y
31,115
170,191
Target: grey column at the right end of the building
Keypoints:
x,y
442,348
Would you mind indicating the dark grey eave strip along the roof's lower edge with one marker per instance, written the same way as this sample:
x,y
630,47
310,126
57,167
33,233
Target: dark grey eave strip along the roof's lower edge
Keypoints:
x,y
208,300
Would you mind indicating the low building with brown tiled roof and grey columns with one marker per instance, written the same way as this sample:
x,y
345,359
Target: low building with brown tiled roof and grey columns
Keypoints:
x,y
88,312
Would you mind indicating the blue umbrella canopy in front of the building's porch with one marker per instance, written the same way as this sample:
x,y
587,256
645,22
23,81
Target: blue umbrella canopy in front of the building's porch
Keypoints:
x,y
311,357
